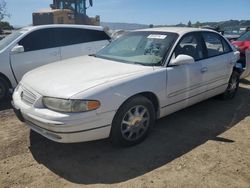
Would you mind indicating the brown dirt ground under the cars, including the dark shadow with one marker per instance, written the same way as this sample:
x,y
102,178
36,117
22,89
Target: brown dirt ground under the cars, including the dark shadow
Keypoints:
x,y
206,145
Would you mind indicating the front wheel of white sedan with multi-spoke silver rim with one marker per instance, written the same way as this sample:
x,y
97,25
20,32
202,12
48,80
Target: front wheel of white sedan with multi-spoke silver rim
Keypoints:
x,y
133,121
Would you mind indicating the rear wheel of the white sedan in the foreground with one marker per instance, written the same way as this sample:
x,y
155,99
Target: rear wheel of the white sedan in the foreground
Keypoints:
x,y
233,86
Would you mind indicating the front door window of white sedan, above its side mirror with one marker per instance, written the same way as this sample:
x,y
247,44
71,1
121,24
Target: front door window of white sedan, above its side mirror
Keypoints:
x,y
189,45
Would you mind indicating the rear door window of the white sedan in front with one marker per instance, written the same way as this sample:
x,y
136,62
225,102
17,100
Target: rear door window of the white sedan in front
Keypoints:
x,y
214,44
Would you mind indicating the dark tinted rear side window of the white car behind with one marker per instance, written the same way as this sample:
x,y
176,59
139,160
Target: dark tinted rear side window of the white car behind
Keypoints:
x,y
71,36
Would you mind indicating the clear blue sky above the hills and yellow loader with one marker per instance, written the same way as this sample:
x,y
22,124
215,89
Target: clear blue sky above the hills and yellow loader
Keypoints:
x,y
155,12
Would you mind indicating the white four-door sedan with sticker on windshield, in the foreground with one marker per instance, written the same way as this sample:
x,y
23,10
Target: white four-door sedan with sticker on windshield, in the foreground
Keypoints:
x,y
121,91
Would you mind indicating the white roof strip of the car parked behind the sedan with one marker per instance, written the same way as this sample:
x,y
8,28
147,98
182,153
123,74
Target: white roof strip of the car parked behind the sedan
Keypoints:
x,y
30,28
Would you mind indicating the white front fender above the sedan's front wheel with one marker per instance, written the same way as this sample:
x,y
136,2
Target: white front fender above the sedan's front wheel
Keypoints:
x,y
113,94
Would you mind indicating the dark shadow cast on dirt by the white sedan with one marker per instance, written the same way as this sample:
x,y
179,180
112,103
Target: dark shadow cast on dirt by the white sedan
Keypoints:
x,y
173,136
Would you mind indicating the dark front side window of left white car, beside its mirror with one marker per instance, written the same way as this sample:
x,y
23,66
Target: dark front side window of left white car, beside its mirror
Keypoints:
x,y
40,39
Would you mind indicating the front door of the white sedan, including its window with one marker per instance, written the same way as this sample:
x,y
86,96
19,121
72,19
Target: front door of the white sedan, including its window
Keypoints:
x,y
185,82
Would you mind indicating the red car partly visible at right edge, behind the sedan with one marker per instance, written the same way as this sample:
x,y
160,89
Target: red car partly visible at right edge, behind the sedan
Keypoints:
x,y
243,44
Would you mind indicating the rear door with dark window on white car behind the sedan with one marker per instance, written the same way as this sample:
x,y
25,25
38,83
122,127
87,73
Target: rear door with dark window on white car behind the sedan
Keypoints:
x,y
77,42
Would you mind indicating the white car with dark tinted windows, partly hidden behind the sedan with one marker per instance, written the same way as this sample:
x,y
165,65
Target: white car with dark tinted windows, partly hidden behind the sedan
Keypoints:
x,y
35,46
